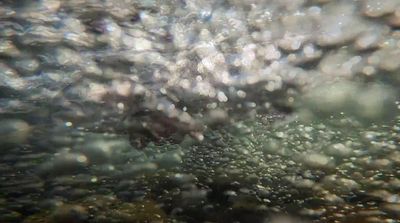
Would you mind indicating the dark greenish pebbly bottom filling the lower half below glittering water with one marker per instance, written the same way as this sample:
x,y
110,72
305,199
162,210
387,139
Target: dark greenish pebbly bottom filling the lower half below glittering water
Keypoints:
x,y
258,170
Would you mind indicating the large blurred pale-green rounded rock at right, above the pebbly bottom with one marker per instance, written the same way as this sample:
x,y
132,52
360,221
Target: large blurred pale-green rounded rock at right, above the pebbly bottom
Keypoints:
x,y
366,103
